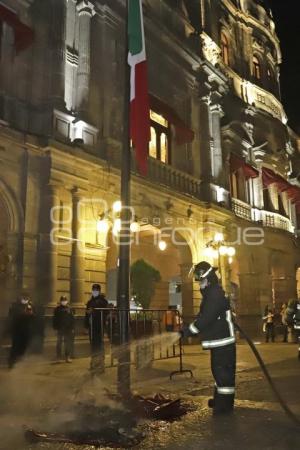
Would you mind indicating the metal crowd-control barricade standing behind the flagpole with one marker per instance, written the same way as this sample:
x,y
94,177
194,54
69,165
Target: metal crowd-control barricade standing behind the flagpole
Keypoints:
x,y
150,334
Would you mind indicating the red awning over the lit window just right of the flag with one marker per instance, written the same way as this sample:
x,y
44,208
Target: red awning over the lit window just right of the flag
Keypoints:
x,y
184,134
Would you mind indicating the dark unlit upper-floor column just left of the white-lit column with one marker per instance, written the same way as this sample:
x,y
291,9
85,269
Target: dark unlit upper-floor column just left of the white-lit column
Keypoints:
x,y
57,49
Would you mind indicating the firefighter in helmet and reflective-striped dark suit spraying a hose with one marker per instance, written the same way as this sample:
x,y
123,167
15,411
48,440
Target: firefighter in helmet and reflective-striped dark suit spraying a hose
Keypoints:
x,y
214,323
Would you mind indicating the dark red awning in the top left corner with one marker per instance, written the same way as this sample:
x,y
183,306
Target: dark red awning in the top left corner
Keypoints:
x,y
24,35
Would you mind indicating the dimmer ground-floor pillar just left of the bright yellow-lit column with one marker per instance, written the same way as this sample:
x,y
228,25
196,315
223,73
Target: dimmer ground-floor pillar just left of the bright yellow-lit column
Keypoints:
x,y
49,247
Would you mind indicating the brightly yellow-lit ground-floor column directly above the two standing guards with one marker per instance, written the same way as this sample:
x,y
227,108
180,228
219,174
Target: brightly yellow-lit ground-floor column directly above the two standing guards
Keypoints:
x,y
78,252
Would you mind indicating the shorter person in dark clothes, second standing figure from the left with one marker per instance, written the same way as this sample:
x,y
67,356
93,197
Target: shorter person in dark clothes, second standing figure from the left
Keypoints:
x,y
64,323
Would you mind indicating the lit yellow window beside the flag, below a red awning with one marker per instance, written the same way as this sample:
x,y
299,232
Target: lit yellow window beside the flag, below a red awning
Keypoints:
x,y
159,146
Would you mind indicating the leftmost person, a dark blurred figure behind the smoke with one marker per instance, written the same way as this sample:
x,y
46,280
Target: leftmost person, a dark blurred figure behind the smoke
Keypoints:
x,y
21,319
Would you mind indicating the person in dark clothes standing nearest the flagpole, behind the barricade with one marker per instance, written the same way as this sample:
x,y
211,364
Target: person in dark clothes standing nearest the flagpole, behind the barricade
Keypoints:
x,y
95,320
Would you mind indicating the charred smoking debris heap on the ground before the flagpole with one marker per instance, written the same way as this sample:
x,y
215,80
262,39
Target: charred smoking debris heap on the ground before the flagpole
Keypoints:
x,y
112,427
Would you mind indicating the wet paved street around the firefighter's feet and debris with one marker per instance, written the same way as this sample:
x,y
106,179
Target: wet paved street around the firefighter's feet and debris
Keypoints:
x,y
44,395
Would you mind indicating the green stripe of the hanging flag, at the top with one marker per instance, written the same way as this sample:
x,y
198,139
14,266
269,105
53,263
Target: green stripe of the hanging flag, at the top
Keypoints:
x,y
134,27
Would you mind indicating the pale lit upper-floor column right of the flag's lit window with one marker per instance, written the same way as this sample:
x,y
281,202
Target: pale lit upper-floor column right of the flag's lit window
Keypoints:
x,y
216,113
